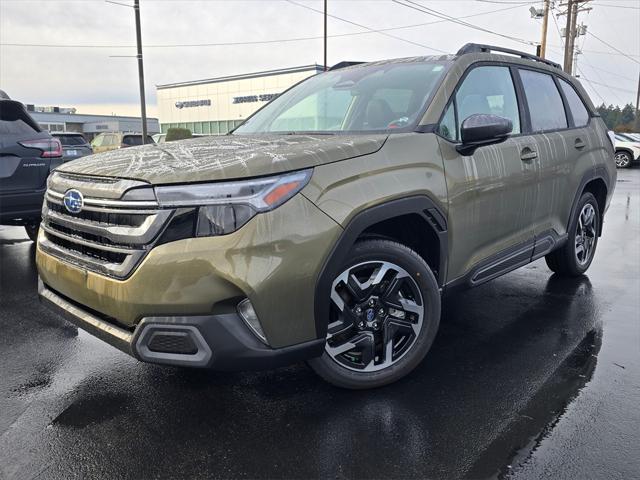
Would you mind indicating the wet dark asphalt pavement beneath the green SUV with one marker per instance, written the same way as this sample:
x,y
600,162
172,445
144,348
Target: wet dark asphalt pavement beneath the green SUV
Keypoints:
x,y
531,376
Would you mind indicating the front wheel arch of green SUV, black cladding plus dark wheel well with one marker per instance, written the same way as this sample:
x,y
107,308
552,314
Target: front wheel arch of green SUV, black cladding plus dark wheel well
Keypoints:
x,y
410,221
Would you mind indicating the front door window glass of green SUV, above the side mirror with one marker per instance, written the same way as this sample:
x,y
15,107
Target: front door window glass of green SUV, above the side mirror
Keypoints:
x,y
488,90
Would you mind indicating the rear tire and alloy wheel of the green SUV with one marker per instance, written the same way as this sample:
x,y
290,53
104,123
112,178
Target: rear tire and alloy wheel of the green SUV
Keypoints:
x,y
576,255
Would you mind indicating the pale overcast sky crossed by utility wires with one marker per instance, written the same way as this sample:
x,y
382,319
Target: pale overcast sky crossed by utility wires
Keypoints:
x,y
93,81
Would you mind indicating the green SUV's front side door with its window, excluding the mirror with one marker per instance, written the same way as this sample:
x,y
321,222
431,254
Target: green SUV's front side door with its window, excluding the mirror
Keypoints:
x,y
492,193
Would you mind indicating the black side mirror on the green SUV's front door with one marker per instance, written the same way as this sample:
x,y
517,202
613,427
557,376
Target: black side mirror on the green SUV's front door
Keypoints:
x,y
481,129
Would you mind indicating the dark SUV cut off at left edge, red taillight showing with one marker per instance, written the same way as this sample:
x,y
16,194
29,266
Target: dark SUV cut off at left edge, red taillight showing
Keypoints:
x,y
27,155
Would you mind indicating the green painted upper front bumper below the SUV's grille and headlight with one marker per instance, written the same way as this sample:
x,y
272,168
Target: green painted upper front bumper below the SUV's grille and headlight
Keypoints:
x,y
274,260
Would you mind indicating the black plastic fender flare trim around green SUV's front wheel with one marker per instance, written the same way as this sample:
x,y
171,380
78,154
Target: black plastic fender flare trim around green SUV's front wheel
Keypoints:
x,y
421,205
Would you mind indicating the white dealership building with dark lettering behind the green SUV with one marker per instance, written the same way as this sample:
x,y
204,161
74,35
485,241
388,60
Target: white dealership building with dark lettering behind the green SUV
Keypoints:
x,y
217,105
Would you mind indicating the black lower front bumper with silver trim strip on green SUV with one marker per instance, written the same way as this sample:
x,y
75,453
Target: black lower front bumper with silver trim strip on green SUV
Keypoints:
x,y
220,342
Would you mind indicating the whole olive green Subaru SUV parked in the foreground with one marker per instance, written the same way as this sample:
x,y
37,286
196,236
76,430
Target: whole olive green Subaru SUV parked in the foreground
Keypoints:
x,y
327,227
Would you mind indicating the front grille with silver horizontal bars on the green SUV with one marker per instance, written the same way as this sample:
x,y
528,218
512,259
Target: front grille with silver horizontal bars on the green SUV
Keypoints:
x,y
107,236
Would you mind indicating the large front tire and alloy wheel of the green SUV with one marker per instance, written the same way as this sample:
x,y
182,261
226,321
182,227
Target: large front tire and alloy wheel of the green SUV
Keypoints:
x,y
384,315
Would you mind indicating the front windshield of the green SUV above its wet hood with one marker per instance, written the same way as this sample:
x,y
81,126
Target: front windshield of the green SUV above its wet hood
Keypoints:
x,y
377,97
